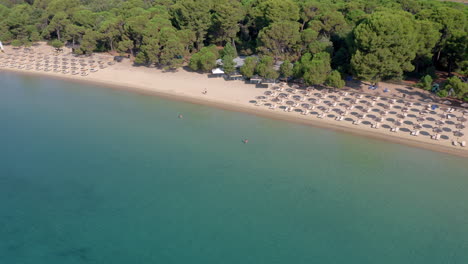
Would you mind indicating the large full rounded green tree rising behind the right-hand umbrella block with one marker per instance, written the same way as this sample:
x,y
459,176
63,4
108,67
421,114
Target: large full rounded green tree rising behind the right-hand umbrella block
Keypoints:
x,y
385,46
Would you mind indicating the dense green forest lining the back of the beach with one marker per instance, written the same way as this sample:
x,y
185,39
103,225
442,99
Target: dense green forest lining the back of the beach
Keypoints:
x,y
318,41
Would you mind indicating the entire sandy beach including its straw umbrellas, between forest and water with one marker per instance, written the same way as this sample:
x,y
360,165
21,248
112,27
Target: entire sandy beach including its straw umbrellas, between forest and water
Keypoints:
x,y
385,116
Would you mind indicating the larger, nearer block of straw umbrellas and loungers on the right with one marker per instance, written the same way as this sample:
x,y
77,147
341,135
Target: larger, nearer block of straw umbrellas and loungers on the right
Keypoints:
x,y
397,115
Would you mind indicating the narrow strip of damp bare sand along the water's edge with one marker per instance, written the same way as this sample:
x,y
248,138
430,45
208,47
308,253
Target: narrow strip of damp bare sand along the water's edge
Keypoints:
x,y
257,111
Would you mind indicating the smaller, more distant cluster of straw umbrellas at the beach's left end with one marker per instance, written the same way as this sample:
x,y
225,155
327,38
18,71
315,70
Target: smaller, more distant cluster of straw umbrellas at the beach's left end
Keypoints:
x,y
66,64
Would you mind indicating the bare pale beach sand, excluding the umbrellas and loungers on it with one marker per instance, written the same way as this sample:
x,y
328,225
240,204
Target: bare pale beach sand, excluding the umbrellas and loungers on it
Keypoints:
x,y
238,96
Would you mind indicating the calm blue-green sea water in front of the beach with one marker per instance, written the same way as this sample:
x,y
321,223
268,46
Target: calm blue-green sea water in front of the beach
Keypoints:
x,y
95,175
